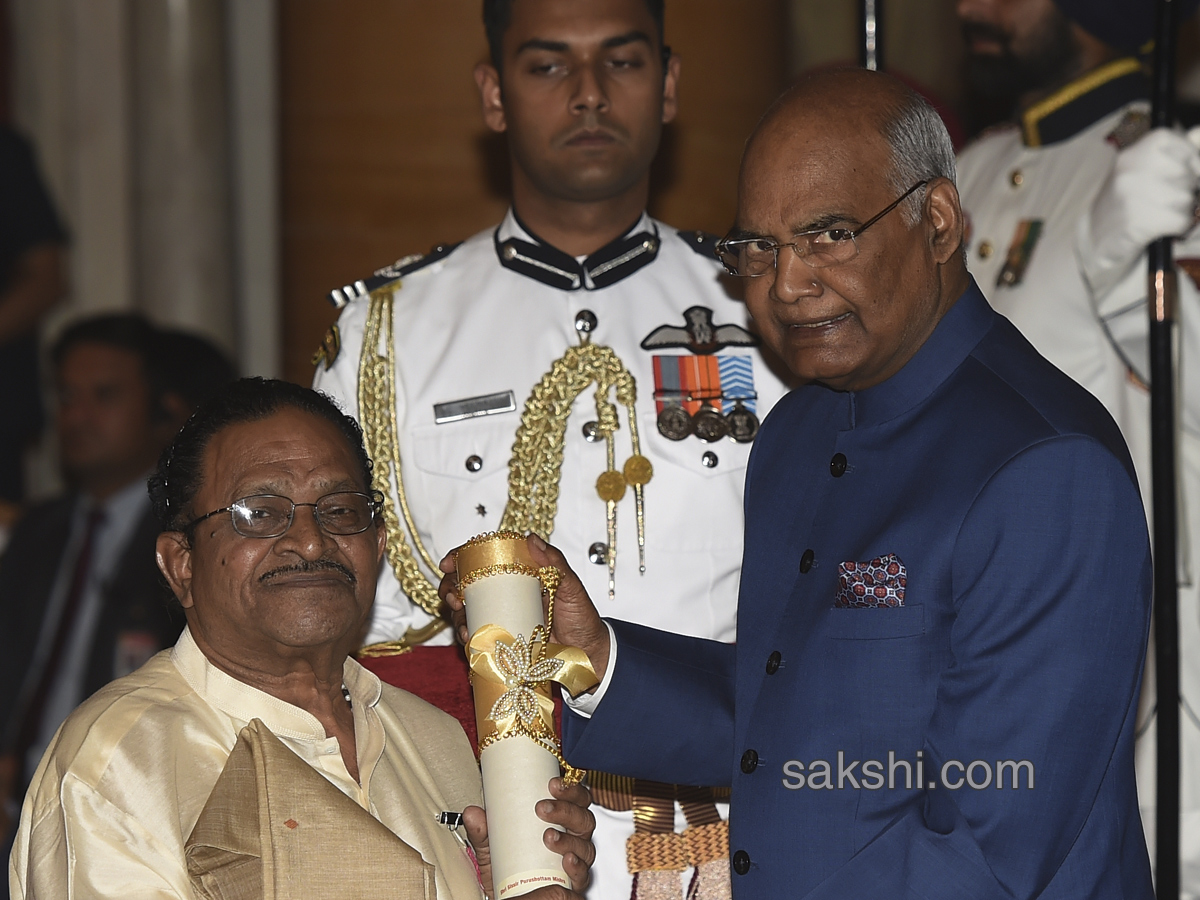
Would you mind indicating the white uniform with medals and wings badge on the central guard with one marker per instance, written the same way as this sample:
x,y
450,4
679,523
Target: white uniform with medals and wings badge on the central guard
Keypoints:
x,y
477,328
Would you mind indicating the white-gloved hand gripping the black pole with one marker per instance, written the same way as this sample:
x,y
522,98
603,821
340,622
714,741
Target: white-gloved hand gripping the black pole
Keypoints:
x,y
1149,195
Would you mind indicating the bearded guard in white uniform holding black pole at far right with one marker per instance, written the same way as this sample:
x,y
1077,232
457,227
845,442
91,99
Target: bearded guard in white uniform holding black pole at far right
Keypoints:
x,y
1061,206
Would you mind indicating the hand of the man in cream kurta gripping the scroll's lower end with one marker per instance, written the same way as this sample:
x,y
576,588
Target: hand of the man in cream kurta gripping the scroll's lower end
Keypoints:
x,y
569,811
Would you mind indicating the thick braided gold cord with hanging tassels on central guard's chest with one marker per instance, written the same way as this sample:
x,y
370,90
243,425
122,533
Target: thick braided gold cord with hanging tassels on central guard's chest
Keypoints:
x,y
537,464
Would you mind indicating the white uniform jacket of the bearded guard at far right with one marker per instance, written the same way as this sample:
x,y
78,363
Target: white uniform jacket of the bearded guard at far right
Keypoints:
x,y
1028,191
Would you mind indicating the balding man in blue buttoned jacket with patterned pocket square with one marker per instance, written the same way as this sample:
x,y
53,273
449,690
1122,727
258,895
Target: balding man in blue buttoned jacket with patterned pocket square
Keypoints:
x,y
946,589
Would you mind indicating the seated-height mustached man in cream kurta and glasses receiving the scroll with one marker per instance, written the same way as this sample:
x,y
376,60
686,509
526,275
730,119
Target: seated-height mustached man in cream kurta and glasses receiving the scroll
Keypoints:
x,y
256,758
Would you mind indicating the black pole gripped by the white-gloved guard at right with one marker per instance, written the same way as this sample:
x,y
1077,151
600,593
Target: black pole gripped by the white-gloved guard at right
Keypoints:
x,y
1162,379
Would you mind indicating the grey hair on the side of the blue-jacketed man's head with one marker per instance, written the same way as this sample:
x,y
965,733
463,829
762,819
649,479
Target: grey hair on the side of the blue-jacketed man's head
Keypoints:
x,y
921,151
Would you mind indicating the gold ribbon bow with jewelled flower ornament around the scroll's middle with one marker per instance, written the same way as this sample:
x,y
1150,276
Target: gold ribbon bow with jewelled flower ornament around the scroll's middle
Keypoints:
x,y
512,679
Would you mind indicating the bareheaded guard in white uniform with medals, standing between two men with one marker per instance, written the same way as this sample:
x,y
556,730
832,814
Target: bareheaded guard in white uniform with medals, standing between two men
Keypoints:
x,y
583,371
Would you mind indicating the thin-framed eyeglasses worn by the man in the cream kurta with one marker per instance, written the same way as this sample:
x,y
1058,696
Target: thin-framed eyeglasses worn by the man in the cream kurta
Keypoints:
x,y
269,515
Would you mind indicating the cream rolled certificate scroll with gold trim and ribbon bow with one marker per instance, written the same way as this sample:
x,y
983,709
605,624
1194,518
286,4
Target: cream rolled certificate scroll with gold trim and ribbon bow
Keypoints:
x,y
512,665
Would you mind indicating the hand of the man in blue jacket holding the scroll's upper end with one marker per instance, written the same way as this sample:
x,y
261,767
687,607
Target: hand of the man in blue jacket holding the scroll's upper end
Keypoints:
x,y
577,621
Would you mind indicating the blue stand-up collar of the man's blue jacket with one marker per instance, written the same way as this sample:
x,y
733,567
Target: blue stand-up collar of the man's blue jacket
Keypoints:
x,y
953,340
